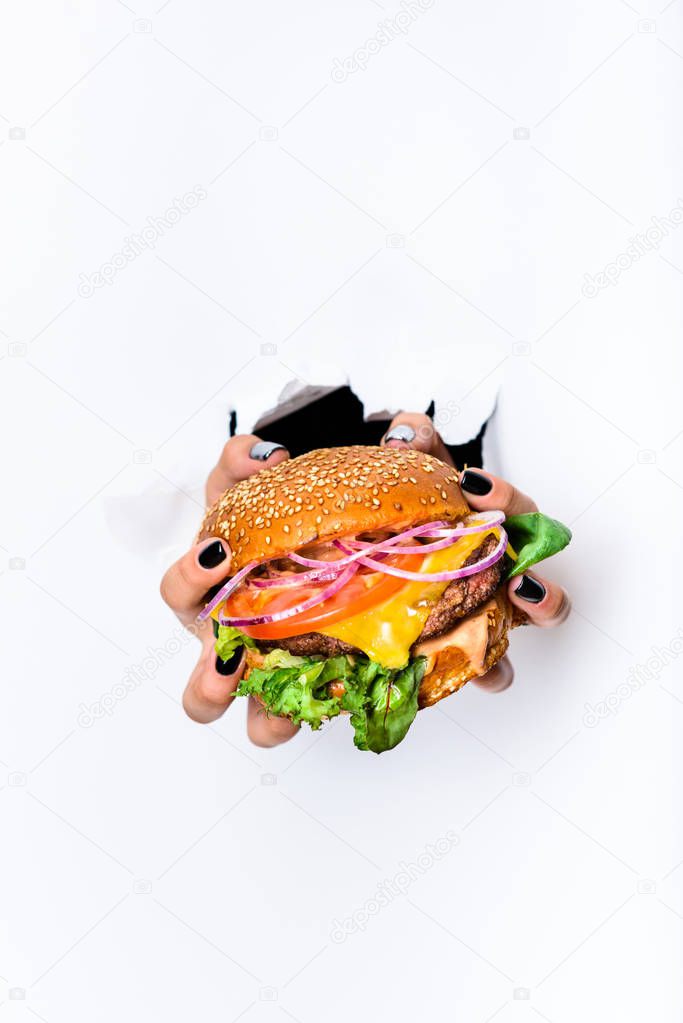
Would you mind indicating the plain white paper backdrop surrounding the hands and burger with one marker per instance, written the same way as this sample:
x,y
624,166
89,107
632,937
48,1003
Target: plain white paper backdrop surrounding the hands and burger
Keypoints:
x,y
156,870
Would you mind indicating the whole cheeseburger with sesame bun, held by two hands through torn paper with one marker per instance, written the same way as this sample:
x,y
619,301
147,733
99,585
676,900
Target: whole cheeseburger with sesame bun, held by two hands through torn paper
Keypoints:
x,y
362,583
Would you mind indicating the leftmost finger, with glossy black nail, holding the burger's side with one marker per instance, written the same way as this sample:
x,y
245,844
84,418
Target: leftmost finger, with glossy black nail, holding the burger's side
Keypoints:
x,y
186,585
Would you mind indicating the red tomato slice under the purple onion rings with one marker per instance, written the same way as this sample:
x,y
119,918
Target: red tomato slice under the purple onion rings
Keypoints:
x,y
362,592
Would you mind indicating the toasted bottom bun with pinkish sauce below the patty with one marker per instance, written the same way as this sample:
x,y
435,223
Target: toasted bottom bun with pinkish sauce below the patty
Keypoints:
x,y
468,651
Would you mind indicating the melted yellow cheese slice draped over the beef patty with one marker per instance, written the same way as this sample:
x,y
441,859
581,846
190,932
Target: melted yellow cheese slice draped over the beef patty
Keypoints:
x,y
387,632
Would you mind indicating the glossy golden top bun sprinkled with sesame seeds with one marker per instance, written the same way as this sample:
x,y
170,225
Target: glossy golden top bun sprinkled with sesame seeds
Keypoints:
x,y
329,494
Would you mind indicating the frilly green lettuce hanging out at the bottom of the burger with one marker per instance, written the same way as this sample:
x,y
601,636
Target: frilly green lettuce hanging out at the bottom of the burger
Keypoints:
x,y
383,703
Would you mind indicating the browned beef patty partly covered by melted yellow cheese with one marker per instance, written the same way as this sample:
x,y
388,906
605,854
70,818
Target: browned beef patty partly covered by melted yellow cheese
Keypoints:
x,y
460,598
